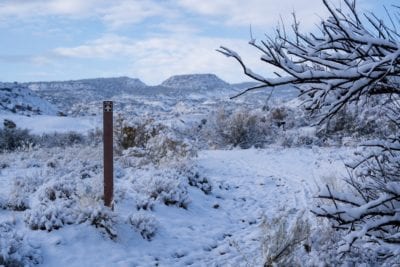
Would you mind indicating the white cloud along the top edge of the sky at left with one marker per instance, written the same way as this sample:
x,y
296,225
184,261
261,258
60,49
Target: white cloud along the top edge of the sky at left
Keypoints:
x,y
114,13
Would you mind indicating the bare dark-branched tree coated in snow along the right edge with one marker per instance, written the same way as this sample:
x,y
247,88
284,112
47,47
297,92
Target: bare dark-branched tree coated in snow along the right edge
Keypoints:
x,y
351,59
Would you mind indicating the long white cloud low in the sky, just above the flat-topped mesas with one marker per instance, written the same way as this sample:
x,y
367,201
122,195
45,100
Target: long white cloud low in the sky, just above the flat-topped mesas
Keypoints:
x,y
155,59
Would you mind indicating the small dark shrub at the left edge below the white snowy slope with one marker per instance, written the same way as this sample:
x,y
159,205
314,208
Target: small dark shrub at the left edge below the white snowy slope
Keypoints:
x,y
12,139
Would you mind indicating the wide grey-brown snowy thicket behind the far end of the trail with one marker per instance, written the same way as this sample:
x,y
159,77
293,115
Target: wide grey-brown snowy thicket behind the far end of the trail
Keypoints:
x,y
247,126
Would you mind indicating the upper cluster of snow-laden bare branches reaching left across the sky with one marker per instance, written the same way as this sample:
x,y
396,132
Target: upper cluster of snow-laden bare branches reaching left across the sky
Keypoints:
x,y
352,56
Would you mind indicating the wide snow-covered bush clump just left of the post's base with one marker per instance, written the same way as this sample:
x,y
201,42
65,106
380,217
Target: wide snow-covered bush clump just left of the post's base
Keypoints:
x,y
69,201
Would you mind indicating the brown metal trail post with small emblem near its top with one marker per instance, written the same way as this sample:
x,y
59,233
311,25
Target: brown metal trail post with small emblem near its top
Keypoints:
x,y
108,152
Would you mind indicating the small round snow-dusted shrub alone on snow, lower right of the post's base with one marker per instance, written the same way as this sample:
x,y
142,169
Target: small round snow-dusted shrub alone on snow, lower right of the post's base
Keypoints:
x,y
145,224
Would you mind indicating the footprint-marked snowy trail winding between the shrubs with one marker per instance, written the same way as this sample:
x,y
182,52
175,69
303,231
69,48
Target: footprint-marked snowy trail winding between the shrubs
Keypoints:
x,y
256,185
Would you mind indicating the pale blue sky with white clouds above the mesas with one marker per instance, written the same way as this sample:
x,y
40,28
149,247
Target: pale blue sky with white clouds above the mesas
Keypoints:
x,y
48,40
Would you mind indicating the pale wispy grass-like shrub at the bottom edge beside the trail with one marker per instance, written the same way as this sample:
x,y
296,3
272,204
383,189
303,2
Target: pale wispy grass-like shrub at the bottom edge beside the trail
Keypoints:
x,y
282,237
